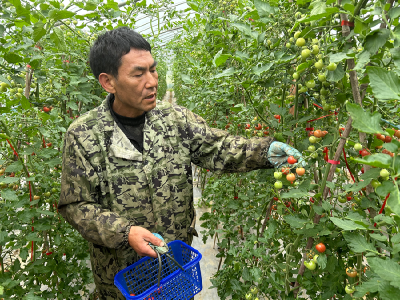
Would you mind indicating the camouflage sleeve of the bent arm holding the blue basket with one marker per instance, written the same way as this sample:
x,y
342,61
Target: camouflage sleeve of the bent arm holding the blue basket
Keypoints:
x,y
79,200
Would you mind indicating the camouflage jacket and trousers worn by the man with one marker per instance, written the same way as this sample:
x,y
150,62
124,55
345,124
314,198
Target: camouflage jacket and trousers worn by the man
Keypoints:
x,y
107,185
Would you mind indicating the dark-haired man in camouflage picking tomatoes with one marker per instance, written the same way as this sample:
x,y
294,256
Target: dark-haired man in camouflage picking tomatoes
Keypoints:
x,y
127,163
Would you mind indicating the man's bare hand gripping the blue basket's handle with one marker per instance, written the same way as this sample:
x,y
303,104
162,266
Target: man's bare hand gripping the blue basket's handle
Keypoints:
x,y
139,239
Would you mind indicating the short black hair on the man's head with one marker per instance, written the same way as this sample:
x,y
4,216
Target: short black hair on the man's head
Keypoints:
x,y
107,51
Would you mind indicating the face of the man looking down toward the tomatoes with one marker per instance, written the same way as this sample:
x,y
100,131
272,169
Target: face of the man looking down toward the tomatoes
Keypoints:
x,y
135,89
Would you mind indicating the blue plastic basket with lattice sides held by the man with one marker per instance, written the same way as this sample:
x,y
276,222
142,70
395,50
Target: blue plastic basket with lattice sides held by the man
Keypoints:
x,y
140,279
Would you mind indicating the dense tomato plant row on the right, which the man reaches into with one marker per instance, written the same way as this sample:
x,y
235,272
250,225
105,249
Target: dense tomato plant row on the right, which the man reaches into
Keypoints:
x,y
316,82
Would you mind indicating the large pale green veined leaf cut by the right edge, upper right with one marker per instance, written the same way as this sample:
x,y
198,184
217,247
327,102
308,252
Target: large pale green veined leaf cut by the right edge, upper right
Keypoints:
x,y
385,84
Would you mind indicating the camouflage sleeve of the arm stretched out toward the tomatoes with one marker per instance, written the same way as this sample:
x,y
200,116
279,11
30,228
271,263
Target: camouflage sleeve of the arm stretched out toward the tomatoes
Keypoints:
x,y
221,152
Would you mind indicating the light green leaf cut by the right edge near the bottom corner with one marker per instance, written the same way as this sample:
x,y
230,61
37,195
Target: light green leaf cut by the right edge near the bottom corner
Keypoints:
x,y
387,269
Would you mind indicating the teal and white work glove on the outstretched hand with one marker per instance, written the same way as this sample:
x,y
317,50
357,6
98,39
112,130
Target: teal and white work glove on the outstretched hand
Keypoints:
x,y
278,154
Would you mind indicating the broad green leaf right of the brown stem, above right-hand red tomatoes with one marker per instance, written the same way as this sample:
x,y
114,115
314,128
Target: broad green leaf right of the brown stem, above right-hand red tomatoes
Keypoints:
x,y
364,121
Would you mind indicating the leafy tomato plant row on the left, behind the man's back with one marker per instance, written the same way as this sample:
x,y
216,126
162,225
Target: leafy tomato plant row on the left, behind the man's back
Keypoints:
x,y
45,84
